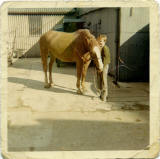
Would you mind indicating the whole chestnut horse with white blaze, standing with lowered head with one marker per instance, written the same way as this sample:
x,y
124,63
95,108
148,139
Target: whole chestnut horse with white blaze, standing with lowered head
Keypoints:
x,y
80,47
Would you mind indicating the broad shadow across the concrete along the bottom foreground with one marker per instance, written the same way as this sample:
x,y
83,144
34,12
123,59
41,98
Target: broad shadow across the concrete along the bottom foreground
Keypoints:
x,y
78,135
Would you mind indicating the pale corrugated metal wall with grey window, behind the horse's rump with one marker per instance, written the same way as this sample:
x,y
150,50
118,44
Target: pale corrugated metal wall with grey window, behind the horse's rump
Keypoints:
x,y
25,31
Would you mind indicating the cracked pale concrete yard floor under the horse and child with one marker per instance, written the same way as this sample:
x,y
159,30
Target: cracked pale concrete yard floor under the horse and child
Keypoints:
x,y
55,119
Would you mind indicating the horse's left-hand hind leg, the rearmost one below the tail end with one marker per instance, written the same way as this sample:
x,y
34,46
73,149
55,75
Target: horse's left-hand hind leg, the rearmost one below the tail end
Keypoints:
x,y
44,58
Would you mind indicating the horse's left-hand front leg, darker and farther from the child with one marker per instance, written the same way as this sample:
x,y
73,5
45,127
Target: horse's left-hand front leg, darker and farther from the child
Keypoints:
x,y
79,72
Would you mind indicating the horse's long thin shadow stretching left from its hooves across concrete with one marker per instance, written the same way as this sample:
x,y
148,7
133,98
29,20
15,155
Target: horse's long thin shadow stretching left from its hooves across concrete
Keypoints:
x,y
34,84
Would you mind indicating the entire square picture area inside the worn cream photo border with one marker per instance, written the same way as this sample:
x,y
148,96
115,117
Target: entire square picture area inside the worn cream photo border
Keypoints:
x,y
78,79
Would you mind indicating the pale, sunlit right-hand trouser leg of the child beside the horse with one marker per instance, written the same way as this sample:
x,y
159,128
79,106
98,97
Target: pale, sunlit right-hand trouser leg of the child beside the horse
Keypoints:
x,y
104,93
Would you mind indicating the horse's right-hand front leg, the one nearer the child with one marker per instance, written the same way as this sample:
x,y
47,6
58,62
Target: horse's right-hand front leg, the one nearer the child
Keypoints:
x,y
84,71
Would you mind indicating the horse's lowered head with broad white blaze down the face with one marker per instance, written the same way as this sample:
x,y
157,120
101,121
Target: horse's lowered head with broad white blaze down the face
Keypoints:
x,y
95,51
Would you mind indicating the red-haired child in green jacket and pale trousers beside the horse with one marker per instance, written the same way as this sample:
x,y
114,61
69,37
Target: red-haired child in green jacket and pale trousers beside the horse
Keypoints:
x,y
102,81
